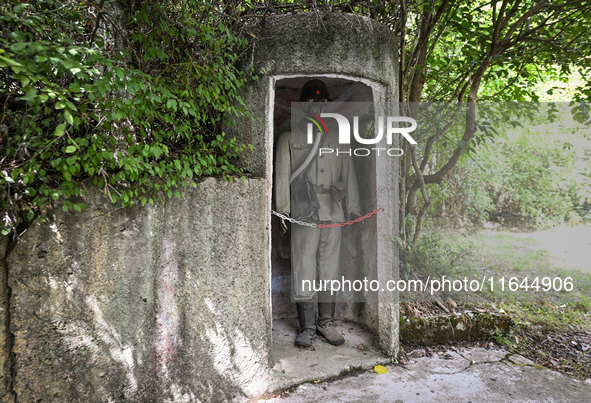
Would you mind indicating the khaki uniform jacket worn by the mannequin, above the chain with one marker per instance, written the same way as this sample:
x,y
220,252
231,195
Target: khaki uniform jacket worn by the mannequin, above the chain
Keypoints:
x,y
324,171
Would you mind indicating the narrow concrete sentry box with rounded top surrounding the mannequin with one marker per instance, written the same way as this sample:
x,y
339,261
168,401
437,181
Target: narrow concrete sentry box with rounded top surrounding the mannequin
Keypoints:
x,y
357,59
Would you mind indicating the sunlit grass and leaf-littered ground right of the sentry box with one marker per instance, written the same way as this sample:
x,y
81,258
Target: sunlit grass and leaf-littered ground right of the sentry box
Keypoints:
x,y
550,326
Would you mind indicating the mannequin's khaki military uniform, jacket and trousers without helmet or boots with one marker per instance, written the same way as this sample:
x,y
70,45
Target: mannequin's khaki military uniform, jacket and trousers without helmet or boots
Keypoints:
x,y
315,251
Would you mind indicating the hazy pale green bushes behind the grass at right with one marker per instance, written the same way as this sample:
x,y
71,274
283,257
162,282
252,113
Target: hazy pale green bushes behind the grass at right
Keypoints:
x,y
540,173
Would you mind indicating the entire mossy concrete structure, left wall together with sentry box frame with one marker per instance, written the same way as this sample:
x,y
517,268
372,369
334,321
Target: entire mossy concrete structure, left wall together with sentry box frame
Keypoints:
x,y
172,302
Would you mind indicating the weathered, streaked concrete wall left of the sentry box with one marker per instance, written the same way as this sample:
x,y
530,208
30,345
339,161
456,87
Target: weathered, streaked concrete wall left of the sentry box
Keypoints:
x,y
166,303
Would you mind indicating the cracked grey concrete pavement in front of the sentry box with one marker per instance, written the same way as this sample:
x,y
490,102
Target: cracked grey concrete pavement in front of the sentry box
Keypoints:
x,y
451,377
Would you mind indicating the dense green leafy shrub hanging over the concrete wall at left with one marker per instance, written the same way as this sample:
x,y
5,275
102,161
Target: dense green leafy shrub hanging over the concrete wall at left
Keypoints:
x,y
132,96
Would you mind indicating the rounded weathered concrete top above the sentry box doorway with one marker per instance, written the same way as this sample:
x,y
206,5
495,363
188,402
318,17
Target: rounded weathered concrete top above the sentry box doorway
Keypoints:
x,y
336,43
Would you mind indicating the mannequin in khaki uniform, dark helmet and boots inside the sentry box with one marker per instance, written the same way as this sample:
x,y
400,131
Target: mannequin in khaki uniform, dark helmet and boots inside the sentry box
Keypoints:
x,y
315,251
